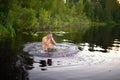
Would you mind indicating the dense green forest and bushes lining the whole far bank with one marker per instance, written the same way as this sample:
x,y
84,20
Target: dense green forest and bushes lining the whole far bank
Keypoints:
x,y
31,15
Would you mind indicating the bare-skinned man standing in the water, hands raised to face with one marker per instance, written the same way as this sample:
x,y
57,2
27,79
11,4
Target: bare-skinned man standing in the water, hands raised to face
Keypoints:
x,y
48,41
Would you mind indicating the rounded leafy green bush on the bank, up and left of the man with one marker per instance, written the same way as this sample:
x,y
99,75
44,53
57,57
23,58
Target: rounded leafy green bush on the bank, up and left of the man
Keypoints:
x,y
26,19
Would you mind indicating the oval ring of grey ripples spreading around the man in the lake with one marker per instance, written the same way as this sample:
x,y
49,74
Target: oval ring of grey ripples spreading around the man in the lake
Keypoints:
x,y
59,50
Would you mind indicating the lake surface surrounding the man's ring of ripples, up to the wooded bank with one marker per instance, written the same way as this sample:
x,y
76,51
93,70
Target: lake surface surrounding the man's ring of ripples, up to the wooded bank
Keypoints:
x,y
99,55
